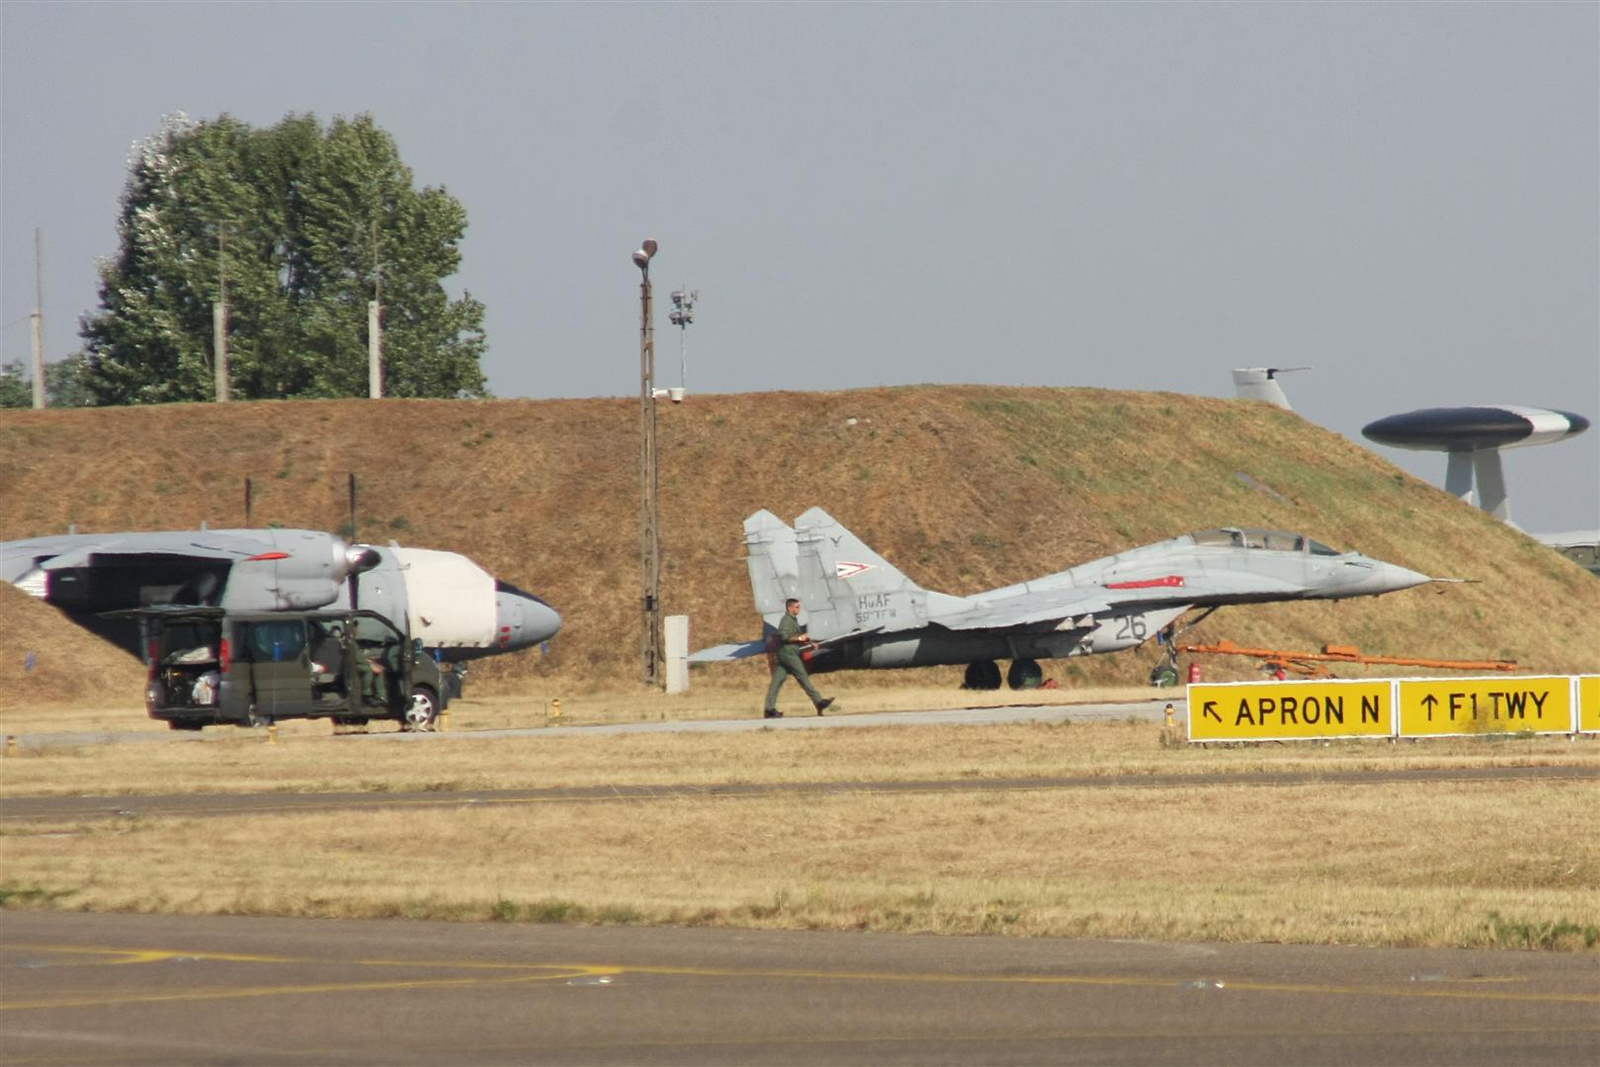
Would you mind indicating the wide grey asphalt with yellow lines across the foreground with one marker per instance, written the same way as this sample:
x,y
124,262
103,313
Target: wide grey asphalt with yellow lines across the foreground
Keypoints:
x,y
153,989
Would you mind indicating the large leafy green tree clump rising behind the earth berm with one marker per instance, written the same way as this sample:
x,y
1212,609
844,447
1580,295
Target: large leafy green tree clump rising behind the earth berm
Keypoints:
x,y
308,226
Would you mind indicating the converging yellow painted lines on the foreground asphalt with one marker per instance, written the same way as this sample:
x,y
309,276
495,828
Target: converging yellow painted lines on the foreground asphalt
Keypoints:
x,y
556,972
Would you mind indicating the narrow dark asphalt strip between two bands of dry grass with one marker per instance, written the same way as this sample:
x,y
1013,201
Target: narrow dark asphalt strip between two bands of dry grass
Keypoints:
x,y
17,812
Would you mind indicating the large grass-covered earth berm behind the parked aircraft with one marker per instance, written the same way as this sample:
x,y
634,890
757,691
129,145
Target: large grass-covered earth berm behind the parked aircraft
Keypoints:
x,y
962,487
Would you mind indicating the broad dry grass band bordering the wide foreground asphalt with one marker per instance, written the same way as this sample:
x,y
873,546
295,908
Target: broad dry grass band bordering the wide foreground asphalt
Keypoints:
x,y
1441,865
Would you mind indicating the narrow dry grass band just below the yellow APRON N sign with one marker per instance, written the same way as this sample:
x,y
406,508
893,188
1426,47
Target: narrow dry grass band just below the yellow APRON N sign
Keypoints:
x,y
318,762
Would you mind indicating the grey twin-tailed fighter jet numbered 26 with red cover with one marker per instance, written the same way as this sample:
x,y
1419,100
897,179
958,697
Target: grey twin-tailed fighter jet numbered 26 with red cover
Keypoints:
x,y
863,613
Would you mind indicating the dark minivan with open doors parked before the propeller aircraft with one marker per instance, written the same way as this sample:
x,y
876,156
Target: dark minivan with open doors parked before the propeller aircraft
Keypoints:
x,y
215,668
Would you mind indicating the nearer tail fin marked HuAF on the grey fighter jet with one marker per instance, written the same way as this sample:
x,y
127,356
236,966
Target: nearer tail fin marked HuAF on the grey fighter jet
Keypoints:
x,y
847,588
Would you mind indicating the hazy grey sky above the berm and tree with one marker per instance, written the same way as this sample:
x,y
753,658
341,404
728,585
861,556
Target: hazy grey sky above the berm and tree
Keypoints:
x,y
1122,196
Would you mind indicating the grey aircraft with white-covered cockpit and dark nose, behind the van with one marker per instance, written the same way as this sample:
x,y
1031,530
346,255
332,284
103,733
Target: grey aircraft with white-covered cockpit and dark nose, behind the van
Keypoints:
x,y
452,605
